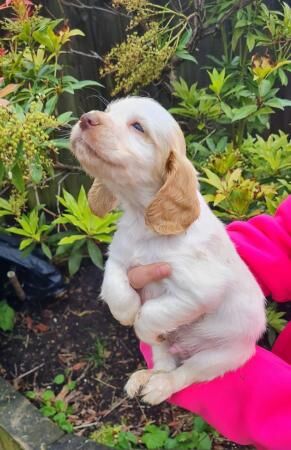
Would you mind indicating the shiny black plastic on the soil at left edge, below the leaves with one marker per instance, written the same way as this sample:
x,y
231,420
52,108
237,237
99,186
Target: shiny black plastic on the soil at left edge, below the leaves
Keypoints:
x,y
38,278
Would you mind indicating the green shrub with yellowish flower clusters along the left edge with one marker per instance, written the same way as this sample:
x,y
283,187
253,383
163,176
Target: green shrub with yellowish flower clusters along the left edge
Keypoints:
x,y
32,82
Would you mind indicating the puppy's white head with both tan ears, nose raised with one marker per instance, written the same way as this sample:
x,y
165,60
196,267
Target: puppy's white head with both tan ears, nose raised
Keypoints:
x,y
136,151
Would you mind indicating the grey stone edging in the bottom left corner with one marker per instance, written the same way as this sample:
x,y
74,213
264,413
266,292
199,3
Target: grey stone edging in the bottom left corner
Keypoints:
x,y
23,427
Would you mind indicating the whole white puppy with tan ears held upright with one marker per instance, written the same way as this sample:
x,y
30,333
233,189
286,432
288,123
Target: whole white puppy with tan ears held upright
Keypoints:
x,y
205,319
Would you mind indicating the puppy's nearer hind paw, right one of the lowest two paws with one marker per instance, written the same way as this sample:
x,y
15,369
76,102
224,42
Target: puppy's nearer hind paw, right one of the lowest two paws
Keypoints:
x,y
158,389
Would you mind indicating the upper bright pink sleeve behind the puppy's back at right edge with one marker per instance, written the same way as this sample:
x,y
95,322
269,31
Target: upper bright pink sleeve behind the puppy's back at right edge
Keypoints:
x,y
264,243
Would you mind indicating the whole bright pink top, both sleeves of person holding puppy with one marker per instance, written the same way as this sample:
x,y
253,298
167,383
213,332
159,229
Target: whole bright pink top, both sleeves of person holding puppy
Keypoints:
x,y
253,404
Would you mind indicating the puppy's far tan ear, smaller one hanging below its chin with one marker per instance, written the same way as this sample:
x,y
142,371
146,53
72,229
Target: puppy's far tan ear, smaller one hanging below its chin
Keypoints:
x,y
101,200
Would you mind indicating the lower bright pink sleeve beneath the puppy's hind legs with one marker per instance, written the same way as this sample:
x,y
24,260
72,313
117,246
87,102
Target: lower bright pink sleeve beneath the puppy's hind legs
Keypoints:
x,y
249,406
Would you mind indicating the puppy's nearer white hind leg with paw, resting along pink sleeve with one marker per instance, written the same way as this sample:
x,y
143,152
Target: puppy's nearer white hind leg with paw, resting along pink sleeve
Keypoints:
x,y
203,366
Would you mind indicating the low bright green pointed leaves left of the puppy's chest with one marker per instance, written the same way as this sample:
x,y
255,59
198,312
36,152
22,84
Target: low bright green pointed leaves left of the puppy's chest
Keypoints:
x,y
79,237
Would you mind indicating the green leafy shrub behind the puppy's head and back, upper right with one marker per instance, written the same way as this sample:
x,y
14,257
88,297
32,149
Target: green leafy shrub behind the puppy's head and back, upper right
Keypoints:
x,y
243,170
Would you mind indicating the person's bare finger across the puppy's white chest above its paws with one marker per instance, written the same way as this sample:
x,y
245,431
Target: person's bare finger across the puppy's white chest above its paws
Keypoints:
x,y
142,275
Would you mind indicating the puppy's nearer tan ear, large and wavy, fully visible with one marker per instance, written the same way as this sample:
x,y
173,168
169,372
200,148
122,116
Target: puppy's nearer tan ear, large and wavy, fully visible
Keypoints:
x,y
176,205
